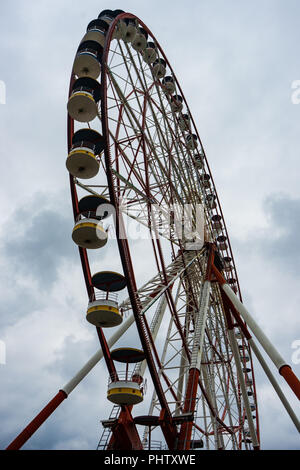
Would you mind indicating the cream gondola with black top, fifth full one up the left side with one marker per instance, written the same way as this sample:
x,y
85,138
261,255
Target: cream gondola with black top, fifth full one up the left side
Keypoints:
x,y
82,104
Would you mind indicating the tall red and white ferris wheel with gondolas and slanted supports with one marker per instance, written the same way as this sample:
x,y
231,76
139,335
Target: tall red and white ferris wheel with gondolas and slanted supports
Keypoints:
x,y
145,206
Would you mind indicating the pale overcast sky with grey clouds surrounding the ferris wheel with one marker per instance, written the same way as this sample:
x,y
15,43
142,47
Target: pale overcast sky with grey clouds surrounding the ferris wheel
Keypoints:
x,y
236,62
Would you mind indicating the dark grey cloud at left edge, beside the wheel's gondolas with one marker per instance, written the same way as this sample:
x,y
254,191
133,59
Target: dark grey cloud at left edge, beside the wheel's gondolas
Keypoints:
x,y
40,239
